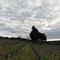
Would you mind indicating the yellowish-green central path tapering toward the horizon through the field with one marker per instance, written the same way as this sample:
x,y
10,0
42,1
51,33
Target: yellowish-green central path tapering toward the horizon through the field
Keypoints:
x,y
27,53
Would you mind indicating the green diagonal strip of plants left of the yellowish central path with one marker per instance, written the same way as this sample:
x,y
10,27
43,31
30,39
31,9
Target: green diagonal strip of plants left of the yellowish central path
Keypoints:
x,y
13,49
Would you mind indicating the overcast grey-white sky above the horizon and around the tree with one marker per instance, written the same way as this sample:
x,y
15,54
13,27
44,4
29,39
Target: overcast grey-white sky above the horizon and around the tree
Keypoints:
x,y
18,16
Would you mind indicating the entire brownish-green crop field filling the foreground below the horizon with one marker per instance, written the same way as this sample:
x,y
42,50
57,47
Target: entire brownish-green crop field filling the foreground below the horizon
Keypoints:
x,y
23,50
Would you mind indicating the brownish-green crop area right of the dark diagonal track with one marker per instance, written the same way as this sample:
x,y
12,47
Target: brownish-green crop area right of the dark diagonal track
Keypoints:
x,y
52,52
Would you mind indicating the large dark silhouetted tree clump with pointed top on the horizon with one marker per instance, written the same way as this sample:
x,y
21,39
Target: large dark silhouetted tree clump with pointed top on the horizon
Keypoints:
x,y
36,35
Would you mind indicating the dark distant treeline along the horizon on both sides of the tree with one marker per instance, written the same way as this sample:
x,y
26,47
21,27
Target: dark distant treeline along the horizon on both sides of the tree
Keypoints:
x,y
24,39
